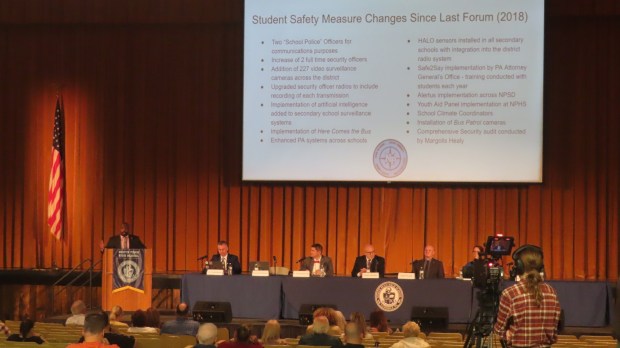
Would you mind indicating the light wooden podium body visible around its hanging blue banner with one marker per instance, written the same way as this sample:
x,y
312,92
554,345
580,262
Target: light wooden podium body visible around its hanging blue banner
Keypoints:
x,y
128,299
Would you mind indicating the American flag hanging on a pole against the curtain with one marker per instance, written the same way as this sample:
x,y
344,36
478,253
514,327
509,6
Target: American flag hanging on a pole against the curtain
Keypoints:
x,y
57,178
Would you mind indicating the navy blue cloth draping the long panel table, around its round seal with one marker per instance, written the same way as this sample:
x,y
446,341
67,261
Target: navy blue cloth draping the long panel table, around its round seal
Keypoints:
x,y
585,303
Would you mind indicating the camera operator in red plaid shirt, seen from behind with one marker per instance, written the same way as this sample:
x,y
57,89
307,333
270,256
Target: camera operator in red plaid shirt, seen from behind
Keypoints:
x,y
529,311
